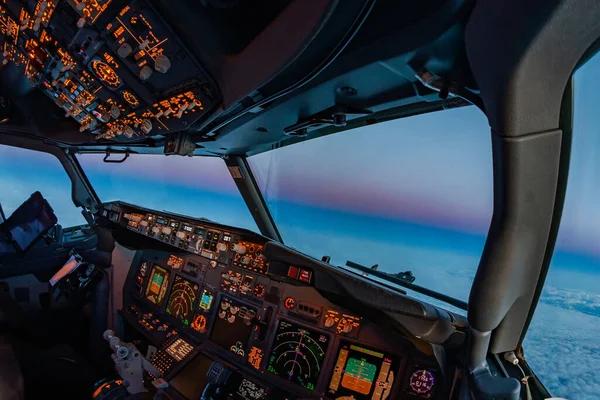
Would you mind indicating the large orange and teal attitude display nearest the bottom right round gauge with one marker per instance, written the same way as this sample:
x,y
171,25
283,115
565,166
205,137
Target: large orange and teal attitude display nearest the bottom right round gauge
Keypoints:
x,y
362,374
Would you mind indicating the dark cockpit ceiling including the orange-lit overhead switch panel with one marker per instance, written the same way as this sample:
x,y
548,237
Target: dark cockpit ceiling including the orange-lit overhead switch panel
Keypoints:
x,y
120,74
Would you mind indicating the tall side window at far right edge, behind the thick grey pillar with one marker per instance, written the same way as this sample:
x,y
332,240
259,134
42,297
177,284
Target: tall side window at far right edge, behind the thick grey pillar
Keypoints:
x,y
562,343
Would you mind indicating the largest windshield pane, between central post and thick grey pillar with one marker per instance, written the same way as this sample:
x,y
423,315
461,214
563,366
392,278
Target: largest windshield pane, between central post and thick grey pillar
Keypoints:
x,y
413,194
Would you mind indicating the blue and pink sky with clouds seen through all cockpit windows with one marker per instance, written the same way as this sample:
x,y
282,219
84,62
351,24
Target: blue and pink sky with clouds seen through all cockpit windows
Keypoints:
x,y
412,194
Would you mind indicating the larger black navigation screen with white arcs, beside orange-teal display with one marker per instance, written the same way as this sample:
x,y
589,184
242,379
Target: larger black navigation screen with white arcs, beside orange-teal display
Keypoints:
x,y
298,354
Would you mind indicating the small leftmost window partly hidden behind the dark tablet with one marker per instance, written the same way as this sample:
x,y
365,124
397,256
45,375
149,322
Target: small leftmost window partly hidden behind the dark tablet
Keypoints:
x,y
24,171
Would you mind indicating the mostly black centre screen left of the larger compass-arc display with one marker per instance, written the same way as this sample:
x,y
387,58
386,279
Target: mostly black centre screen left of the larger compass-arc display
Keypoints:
x,y
233,326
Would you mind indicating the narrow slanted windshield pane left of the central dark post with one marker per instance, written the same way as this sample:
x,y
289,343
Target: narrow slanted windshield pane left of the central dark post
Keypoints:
x,y
194,186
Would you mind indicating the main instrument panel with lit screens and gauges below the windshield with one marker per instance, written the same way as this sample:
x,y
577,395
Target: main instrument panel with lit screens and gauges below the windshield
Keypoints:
x,y
210,292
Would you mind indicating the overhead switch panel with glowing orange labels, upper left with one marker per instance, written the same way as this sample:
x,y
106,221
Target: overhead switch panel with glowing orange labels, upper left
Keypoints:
x,y
113,66
